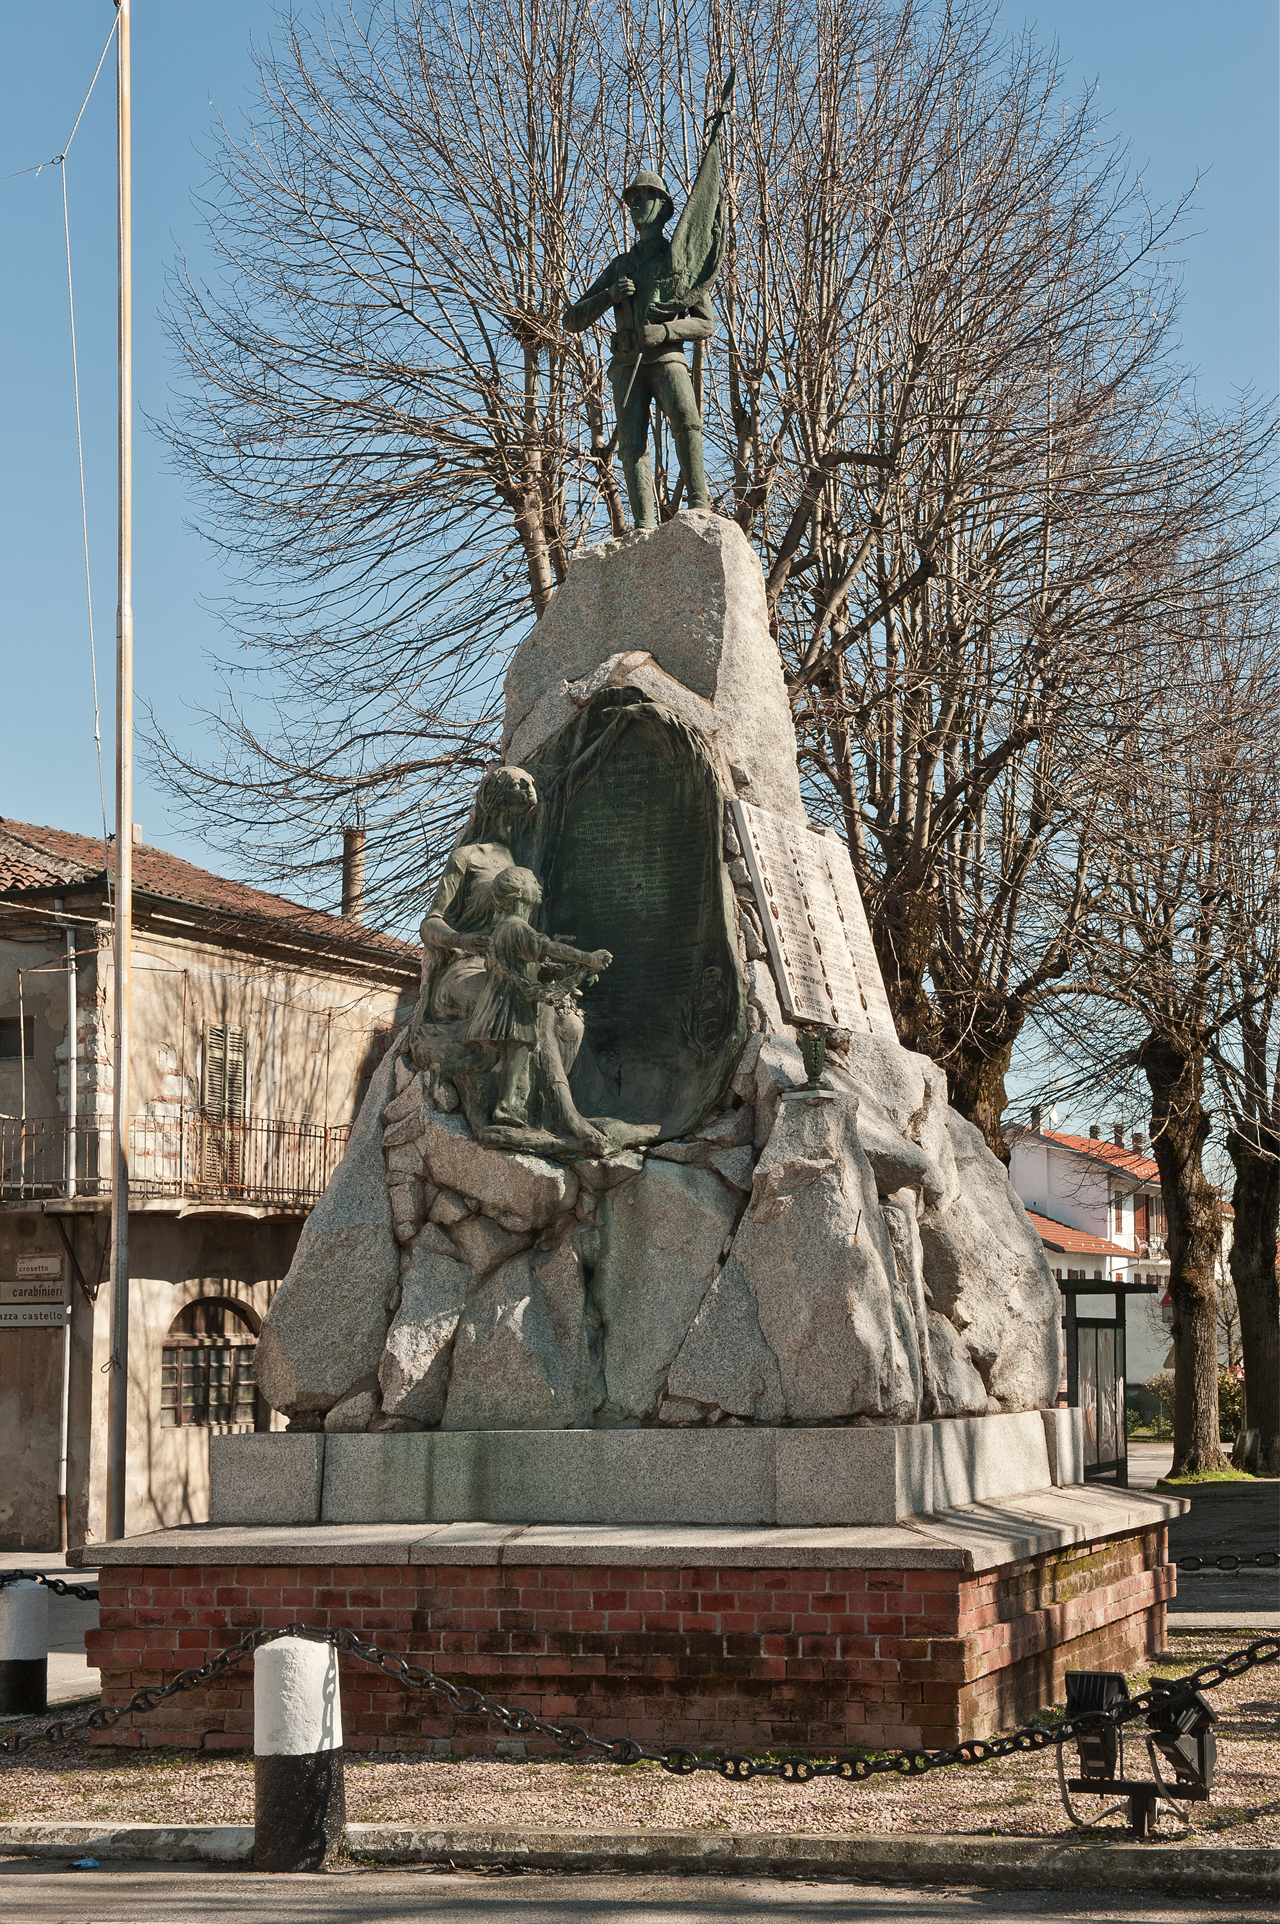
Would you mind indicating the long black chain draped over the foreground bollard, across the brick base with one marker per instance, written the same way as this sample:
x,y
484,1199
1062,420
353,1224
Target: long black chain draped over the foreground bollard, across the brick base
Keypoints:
x,y
682,1763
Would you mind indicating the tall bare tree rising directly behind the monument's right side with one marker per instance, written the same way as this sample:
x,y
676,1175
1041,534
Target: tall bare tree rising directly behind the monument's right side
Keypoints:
x,y
963,522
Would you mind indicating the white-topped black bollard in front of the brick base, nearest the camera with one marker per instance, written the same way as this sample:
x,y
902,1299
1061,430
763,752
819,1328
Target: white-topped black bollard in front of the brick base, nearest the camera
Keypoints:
x,y
299,1790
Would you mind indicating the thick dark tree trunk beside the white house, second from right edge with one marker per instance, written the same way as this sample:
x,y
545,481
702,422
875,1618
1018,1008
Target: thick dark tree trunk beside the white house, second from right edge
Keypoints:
x,y
1179,1134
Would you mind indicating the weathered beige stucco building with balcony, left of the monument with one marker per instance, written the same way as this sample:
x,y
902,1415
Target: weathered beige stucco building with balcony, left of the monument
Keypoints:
x,y
257,1026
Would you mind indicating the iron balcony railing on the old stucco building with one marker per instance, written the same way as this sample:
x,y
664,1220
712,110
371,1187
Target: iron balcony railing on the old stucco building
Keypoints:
x,y
186,1155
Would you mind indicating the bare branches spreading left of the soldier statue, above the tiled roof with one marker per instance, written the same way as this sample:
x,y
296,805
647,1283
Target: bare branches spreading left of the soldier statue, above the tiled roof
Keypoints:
x,y
392,438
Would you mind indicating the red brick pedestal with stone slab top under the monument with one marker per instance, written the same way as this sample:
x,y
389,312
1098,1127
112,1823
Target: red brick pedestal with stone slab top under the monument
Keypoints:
x,y
823,1640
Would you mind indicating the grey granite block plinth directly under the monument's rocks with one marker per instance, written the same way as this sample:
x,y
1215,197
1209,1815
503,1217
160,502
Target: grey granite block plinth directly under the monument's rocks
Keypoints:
x,y
730,1475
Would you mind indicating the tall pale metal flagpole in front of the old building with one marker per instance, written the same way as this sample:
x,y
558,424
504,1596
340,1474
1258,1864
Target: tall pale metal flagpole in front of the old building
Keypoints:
x,y
118,1365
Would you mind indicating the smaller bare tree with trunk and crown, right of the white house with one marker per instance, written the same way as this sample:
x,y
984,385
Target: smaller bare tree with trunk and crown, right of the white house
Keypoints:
x,y
1164,938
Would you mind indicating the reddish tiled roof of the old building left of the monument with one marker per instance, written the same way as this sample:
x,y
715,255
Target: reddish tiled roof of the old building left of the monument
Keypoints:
x,y
53,859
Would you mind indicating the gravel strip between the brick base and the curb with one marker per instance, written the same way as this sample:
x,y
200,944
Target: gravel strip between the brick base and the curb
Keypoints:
x,y
1010,1798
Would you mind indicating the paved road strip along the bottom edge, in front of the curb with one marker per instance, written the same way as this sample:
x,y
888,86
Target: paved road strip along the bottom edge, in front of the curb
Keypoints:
x,y
39,1894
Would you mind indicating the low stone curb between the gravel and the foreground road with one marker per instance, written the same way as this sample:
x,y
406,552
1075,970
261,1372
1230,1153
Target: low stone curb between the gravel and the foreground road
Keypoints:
x,y
1025,1863
